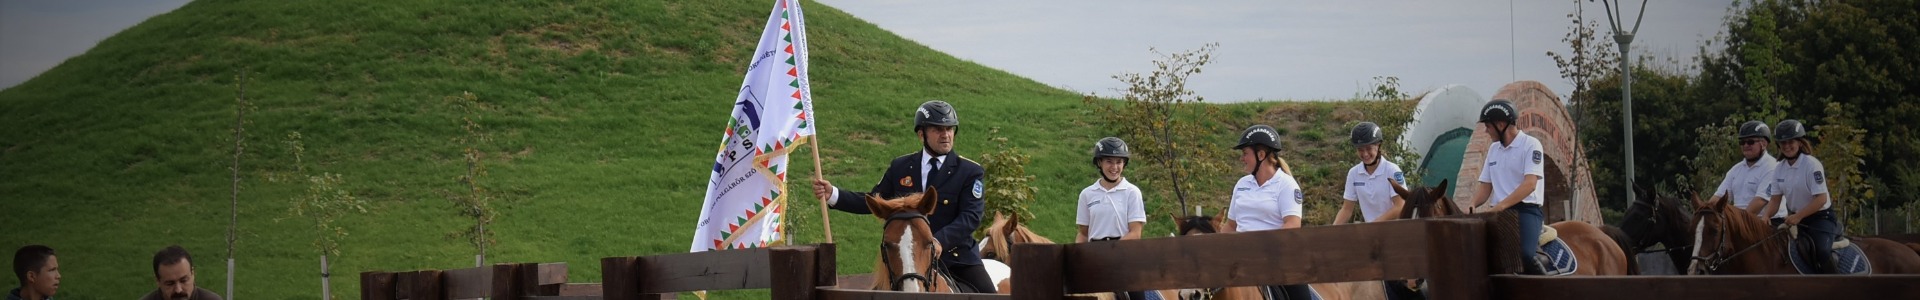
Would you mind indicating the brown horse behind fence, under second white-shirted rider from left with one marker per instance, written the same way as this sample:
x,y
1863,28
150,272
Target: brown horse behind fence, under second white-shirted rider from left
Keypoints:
x,y
1328,291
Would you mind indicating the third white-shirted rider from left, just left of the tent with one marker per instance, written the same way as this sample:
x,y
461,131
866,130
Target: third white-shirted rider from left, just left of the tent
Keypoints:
x,y
1374,184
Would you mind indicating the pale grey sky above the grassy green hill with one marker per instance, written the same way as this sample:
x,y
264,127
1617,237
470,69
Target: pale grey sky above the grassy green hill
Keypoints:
x,y
1268,49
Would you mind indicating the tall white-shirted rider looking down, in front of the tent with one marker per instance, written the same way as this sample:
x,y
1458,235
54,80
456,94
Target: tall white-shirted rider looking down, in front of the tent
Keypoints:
x,y
1514,176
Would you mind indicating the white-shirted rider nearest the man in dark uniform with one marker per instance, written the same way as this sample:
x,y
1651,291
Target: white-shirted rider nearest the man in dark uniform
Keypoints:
x,y
1111,209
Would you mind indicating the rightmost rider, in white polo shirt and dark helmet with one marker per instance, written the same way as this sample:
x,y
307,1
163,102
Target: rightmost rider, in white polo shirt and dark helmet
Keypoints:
x,y
1800,189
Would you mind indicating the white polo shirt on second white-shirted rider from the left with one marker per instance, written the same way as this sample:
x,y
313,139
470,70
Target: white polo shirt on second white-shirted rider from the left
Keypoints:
x,y
1264,207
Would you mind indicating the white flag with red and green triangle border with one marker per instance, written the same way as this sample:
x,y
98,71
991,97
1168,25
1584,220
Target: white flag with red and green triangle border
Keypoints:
x,y
748,195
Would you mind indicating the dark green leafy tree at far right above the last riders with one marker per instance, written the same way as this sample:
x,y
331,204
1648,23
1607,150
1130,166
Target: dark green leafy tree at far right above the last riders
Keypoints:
x,y
1787,59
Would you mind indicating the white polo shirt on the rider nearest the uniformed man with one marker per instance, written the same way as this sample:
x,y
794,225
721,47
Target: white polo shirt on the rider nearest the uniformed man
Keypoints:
x,y
1107,212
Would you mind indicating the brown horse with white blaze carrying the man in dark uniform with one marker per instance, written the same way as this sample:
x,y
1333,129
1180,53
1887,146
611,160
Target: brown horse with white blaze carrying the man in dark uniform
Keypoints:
x,y
909,255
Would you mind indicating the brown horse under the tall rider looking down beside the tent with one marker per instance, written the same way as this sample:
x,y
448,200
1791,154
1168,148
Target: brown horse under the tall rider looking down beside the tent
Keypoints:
x,y
1598,251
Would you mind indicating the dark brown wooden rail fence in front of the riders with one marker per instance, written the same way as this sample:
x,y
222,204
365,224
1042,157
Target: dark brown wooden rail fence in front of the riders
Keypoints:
x,y
1452,255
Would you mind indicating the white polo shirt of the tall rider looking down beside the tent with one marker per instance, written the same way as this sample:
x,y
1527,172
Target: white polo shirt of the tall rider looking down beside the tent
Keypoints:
x,y
1510,164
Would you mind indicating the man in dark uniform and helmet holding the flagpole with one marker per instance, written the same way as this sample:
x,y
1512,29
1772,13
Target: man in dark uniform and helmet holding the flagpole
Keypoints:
x,y
938,166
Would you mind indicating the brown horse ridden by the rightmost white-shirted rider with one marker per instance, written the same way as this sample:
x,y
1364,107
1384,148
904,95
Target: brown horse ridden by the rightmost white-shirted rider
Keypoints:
x,y
1733,241
